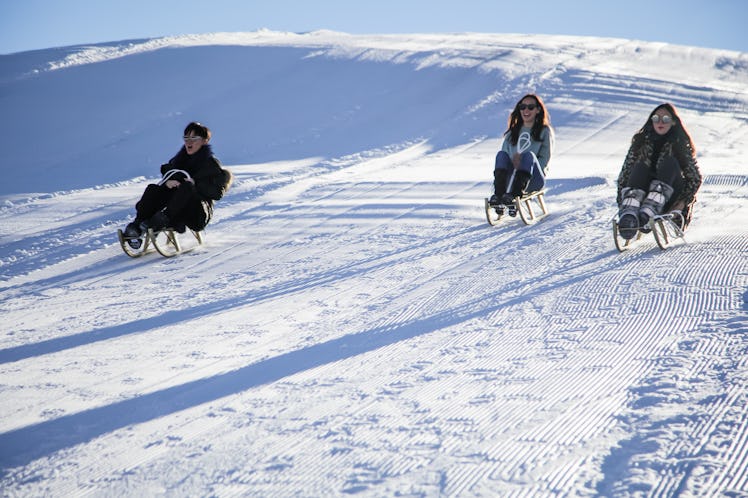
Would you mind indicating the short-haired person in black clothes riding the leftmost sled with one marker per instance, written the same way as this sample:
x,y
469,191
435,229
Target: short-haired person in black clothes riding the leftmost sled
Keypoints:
x,y
191,182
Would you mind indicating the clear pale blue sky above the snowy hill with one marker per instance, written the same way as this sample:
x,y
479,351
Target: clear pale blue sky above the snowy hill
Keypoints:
x,y
35,24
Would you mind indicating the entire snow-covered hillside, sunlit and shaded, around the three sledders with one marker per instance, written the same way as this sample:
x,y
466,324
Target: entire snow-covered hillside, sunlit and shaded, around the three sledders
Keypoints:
x,y
353,326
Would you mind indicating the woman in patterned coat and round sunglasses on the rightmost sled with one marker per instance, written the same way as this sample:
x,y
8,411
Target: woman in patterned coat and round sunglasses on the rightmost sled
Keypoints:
x,y
659,173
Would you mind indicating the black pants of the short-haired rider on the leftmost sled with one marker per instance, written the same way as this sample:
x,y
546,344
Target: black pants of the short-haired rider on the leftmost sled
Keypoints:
x,y
182,205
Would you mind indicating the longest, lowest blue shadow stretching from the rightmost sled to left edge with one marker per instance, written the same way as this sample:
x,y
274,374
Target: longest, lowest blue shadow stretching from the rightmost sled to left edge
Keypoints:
x,y
22,446
